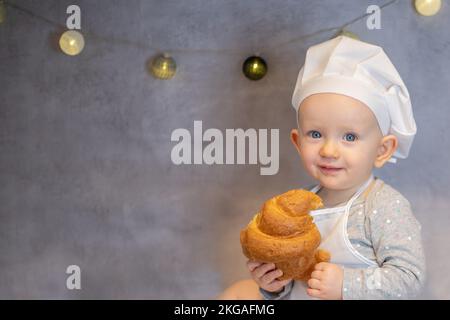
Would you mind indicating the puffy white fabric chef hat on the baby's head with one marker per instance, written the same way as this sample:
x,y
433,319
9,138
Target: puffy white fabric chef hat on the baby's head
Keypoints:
x,y
362,71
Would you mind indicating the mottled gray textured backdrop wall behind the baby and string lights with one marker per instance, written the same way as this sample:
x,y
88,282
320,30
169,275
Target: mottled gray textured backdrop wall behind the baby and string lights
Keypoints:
x,y
85,170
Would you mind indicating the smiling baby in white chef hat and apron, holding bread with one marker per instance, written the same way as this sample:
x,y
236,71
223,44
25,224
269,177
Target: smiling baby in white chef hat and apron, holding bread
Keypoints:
x,y
354,114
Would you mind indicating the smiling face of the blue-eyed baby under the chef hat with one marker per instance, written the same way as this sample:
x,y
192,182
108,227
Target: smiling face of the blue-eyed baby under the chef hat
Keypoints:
x,y
341,132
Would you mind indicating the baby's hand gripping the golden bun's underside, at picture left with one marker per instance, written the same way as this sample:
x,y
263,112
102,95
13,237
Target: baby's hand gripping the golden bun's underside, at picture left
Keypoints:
x,y
266,276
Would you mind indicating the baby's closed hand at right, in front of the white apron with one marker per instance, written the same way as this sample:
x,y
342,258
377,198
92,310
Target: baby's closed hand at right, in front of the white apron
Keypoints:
x,y
326,281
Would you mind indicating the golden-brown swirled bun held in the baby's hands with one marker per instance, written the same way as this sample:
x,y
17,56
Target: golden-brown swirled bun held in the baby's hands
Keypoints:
x,y
284,233
